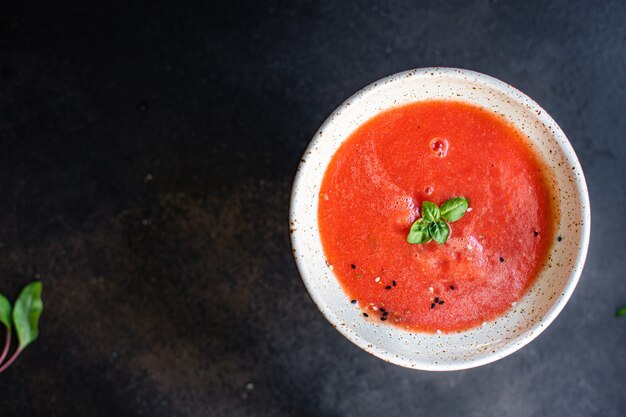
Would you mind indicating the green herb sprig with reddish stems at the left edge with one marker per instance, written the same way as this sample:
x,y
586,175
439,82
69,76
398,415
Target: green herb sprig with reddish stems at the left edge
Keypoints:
x,y
23,317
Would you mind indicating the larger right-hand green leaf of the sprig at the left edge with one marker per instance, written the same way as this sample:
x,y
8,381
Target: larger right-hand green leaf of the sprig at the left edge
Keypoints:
x,y
26,312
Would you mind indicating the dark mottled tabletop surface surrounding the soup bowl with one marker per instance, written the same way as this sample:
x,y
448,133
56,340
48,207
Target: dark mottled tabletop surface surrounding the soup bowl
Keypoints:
x,y
146,157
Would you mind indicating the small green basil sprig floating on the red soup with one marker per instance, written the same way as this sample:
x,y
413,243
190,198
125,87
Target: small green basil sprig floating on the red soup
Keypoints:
x,y
433,224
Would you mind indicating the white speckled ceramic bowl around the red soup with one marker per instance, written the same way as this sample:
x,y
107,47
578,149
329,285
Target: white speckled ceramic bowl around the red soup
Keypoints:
x,y
544,300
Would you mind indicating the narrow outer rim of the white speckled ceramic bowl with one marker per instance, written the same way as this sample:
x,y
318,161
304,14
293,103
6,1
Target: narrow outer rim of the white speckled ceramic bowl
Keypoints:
x,y
581,186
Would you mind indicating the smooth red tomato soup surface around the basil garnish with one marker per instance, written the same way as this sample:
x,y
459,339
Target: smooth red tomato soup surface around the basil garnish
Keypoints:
x,y
435,150
